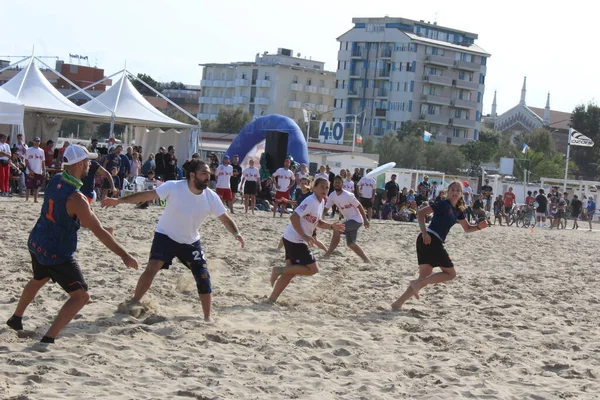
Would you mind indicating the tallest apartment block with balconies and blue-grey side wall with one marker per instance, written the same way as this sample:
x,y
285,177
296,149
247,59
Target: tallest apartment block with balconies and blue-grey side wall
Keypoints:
x,y
392,70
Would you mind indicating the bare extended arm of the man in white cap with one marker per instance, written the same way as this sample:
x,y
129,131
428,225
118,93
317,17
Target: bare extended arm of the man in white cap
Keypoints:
x,y
78,206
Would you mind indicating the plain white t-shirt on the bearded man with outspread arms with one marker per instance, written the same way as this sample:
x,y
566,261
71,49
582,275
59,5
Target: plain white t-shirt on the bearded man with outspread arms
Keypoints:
x,y
185,211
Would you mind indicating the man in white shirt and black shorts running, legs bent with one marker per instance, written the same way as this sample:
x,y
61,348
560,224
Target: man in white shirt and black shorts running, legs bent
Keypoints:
x,y
299,260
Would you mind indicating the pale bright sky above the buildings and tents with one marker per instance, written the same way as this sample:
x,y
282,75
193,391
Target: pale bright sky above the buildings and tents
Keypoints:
x,y
554,46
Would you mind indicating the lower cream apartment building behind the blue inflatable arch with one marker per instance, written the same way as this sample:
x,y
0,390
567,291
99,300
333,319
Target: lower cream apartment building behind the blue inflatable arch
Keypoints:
x,y
272,84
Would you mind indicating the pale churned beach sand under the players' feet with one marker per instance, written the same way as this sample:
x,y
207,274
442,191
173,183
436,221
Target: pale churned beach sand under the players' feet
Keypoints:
x,y
520,320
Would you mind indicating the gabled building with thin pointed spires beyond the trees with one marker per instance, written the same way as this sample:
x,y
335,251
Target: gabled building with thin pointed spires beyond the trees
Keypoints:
x,y
523,118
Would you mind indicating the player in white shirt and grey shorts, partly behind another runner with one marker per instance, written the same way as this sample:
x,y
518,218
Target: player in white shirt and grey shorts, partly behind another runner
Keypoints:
x,y
353,212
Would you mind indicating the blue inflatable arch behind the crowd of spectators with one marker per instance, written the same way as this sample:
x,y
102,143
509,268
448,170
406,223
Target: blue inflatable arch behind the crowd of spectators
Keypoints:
x,y
256,131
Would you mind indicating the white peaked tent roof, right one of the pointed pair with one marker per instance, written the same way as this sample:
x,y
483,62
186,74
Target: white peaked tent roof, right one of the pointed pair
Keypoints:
x,y
130,107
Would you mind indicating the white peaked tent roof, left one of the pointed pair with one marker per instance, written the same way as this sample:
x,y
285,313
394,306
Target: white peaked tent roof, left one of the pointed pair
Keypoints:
x,y
32,88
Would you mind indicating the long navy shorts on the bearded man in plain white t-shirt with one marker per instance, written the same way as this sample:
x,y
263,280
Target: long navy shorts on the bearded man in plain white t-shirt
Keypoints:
x,y
191,255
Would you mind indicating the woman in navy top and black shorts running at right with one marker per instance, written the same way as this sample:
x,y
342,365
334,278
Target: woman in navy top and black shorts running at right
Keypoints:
x,y
430,242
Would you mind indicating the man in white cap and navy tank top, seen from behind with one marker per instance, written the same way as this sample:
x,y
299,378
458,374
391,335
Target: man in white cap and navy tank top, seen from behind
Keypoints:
x,y
53,241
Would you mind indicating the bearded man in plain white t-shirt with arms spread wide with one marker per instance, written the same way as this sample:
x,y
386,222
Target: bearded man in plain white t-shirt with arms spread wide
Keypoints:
x,y
189,202
